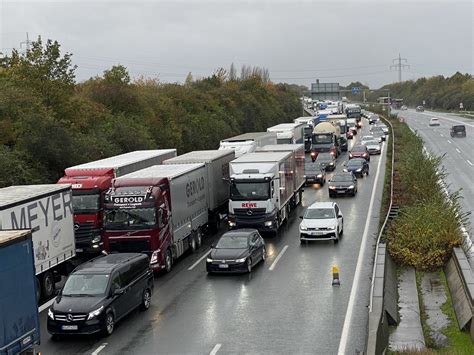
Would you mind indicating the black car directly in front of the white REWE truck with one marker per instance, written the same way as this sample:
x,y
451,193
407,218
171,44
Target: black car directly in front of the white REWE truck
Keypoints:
x,y
236,251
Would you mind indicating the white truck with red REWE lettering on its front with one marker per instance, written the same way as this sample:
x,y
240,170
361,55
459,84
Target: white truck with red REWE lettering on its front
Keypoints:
x,y
262,192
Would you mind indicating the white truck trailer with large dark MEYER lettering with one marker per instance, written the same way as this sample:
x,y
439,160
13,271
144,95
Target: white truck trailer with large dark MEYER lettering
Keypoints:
x,y
46,210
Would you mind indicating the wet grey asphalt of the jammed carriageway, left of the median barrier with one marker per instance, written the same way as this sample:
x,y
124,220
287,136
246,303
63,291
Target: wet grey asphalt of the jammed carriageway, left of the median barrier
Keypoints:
x,y
286,306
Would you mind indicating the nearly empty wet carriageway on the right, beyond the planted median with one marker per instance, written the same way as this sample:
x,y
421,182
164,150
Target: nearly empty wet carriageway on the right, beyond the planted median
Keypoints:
x,y
459,152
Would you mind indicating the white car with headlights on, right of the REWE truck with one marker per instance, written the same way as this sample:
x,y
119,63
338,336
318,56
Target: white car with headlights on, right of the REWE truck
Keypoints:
x,y
322,221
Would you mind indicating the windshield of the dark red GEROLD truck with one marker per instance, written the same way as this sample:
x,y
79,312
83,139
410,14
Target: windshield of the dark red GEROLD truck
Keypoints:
x,y
136,218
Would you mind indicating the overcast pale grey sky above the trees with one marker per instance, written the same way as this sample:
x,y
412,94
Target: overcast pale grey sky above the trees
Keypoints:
x,y
298,41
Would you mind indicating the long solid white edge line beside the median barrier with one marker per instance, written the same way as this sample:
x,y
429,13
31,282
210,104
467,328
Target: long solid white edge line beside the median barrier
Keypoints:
x,y
360,261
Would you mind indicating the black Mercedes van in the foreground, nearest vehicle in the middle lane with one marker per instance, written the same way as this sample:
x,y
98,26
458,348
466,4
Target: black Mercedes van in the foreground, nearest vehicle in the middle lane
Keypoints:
x,y
100,292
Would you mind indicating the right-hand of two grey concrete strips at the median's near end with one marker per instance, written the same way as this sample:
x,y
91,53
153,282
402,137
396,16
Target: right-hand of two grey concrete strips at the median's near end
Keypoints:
x,y
434,296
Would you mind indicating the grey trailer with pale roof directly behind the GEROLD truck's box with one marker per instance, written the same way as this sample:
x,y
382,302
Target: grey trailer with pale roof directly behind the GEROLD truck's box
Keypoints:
x,y
217,168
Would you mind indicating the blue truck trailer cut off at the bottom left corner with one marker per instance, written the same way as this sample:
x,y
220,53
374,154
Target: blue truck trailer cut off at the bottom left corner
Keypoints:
x,y
19,319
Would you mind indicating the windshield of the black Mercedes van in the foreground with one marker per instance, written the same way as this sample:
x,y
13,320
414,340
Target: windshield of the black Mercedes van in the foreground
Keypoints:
x,y
85,285
